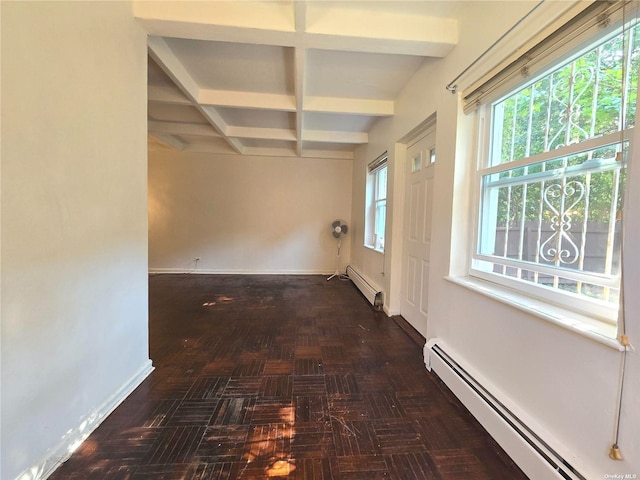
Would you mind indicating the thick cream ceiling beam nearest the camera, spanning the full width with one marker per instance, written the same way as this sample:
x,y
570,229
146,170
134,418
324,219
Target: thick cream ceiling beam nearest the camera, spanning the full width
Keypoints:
x,y
317,25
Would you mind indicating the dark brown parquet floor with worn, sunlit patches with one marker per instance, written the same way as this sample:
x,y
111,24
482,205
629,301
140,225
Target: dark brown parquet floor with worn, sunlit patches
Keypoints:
x,y
283,376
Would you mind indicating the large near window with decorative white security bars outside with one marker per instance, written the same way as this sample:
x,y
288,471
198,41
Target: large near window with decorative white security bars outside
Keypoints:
x,y
552,179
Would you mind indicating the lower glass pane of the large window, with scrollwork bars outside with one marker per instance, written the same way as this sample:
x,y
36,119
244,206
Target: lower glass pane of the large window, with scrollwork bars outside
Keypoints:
x,y
561,214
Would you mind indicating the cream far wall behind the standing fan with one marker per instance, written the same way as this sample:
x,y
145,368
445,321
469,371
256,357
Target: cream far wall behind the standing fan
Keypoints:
x,y
242,214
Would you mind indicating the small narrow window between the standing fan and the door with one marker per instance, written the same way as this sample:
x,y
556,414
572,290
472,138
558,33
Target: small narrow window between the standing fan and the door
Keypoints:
x,y
376,205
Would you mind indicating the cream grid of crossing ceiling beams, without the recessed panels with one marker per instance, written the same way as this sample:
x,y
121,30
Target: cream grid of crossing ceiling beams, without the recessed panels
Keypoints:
x,y
299,26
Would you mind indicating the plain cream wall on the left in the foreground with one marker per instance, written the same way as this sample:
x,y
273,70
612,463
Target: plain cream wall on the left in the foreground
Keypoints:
x,y
74,229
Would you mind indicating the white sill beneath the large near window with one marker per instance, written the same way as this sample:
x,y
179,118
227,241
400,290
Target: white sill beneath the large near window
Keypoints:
x,y
591,328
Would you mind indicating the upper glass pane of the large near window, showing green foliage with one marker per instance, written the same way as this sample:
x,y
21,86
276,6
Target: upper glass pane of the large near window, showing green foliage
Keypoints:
x,y
577,101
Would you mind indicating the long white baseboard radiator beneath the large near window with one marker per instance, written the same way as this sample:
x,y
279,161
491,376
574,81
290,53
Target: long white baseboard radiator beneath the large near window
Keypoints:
x,y
536,458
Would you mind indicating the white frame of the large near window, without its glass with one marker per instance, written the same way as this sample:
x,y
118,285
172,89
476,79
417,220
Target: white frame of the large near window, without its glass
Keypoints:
x,y
583,306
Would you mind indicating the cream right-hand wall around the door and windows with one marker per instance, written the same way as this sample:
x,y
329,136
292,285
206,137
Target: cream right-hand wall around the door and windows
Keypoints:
x,y
563,382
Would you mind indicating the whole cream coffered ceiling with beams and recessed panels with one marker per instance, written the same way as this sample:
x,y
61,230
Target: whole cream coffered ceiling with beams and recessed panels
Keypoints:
x,y
284,78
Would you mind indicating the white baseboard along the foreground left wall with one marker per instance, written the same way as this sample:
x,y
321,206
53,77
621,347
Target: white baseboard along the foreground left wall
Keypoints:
x,y
87,424
